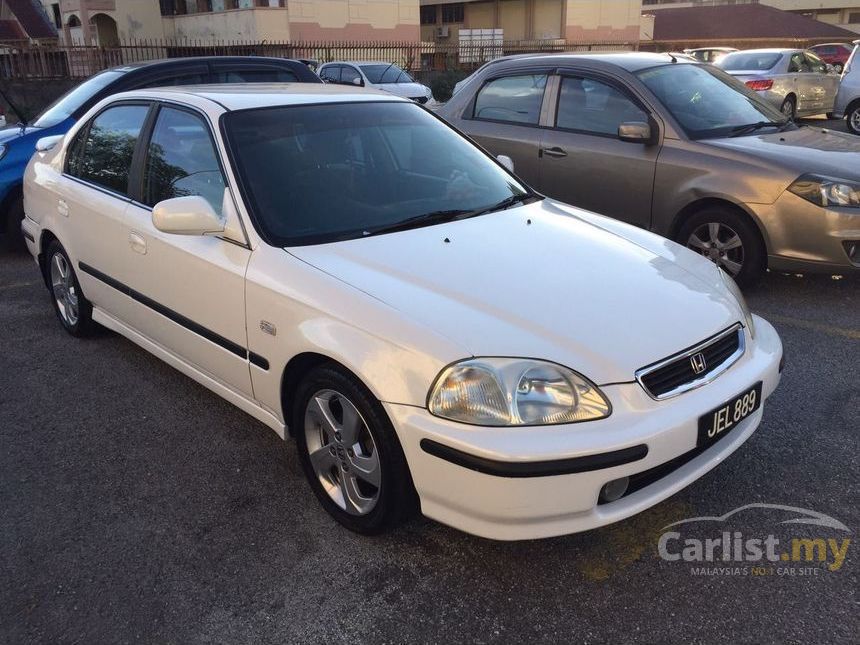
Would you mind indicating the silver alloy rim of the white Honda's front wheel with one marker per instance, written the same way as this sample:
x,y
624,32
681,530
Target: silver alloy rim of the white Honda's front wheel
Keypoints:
x,y
342,452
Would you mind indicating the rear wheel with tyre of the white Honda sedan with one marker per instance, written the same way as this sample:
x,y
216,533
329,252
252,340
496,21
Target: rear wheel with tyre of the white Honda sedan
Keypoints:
x,y
72,308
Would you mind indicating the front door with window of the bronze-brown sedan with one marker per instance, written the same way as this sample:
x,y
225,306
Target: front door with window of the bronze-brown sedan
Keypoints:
x,y
582,160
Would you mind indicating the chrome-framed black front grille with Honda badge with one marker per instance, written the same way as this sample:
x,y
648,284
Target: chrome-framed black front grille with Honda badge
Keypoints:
x,y
694,366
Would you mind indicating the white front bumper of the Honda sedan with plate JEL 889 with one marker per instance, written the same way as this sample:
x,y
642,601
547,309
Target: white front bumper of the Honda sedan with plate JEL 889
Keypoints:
x,y
507,506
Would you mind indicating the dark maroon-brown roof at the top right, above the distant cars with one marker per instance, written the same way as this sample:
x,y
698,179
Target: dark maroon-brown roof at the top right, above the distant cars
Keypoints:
x,y
739,22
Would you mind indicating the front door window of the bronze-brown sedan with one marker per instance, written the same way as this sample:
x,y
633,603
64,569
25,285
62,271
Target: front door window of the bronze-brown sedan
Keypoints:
x,y
594,107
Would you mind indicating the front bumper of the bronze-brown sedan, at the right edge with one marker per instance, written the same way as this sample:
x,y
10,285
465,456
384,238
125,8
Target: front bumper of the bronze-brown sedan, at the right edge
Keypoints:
x,y
804,237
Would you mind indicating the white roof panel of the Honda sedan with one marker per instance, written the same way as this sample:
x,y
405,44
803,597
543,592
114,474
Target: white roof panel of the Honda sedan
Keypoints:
x,y
259,95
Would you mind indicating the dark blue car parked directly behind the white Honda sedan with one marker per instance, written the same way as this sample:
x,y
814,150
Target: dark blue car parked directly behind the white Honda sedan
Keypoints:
x,y
17,142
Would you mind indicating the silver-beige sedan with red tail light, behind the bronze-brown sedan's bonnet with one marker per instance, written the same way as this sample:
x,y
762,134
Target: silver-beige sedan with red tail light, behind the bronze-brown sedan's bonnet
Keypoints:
x,y
793,80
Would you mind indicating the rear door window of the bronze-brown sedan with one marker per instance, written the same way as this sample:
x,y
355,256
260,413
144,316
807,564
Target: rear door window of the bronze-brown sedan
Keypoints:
x,y
516,99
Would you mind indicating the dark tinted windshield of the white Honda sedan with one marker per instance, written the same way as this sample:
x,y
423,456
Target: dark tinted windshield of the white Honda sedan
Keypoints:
x,y
321,173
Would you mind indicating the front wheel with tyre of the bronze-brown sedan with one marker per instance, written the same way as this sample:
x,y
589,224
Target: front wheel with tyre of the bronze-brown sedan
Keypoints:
x,y
729,239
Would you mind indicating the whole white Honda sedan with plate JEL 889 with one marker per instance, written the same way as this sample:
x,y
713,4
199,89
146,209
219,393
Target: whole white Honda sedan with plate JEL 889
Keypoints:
x,y
352,272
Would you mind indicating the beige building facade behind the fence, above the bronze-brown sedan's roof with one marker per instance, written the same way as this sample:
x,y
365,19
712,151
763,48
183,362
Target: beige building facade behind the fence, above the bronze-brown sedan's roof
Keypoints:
x,y
572,20
